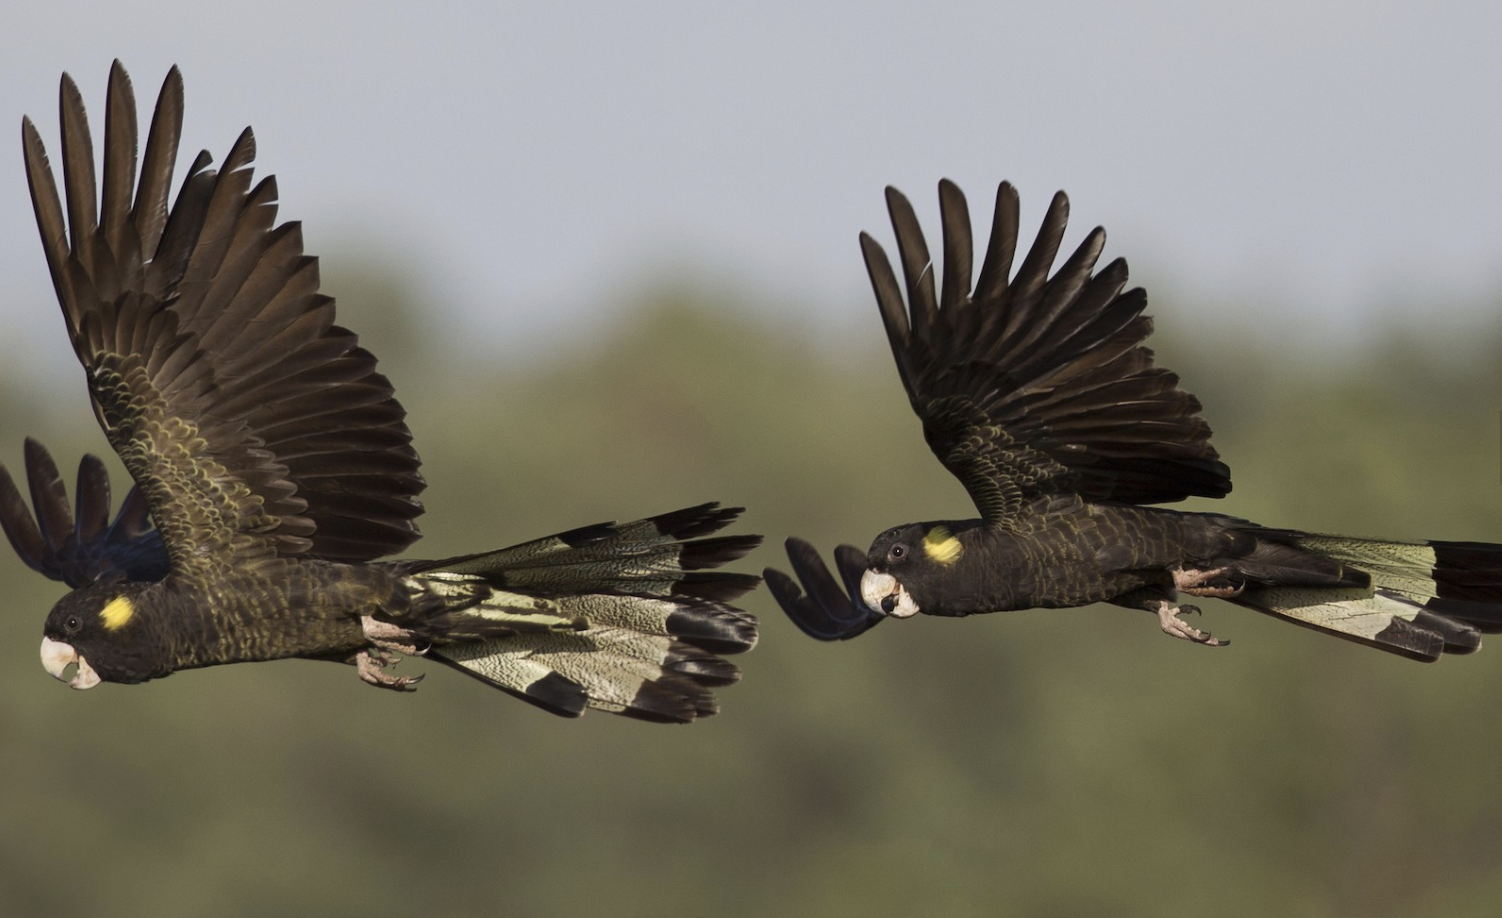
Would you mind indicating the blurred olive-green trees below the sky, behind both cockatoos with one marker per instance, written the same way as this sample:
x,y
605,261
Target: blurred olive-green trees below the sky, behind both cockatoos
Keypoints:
x,y
1058,764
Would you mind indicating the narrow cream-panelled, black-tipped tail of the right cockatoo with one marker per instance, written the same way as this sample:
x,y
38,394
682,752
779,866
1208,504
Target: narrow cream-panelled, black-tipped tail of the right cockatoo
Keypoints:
x,y
1425,599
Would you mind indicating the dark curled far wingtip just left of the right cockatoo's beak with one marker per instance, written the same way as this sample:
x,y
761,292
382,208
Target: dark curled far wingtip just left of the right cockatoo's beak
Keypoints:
x,y
827,612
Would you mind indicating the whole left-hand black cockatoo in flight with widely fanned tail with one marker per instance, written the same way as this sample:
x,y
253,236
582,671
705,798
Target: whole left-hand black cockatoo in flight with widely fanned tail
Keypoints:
x,y
273,468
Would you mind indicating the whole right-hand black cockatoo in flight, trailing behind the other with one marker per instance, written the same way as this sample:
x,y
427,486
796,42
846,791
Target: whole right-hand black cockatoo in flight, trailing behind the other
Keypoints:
x,y
1039,396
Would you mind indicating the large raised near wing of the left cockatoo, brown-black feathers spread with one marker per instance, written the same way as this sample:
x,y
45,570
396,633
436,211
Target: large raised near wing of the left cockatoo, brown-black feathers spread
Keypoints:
x,y
249,420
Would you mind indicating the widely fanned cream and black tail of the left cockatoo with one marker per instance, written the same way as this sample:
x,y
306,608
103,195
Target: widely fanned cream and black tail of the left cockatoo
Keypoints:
x,y
626,618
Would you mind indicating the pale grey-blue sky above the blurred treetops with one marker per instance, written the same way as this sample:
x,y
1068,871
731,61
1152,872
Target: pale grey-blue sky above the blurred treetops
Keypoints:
x,y
528,166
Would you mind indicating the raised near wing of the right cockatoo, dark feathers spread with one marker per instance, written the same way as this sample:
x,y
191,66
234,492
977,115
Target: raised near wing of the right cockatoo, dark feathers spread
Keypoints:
x,y
1036,387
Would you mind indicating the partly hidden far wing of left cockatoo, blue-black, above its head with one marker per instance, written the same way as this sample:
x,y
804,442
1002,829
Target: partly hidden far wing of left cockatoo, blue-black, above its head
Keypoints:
x,y
85,546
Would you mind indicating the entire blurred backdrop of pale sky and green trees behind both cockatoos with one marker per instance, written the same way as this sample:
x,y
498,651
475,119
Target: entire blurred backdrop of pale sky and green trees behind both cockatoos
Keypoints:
x,y
608,255
